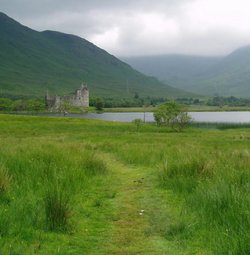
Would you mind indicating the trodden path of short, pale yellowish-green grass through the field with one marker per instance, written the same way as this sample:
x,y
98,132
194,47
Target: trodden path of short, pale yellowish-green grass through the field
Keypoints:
x,y
134,203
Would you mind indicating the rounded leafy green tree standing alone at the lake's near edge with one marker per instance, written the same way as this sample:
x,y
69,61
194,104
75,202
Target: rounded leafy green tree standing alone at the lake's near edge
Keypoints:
x,y
172,115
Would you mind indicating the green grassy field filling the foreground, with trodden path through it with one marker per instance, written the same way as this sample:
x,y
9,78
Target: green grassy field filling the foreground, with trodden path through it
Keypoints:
x,y
77,186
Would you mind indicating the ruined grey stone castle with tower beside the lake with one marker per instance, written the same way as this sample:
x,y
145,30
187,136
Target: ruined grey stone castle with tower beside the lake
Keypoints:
x,y
79,99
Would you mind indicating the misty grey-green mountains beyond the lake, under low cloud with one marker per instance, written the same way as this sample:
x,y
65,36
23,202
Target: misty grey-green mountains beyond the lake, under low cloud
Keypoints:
x,y
221,75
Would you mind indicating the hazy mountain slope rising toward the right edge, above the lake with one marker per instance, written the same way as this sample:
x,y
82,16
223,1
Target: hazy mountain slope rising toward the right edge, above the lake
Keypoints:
x,y
229,77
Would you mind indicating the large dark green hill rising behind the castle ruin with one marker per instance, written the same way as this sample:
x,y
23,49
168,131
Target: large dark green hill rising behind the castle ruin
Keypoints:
x,y
32,62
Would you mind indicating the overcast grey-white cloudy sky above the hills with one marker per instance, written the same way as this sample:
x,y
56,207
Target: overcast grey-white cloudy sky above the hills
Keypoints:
x,y
142,27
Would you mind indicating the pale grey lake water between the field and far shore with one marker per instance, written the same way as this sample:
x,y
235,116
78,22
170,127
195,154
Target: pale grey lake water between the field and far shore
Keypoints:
x,y
220,117
